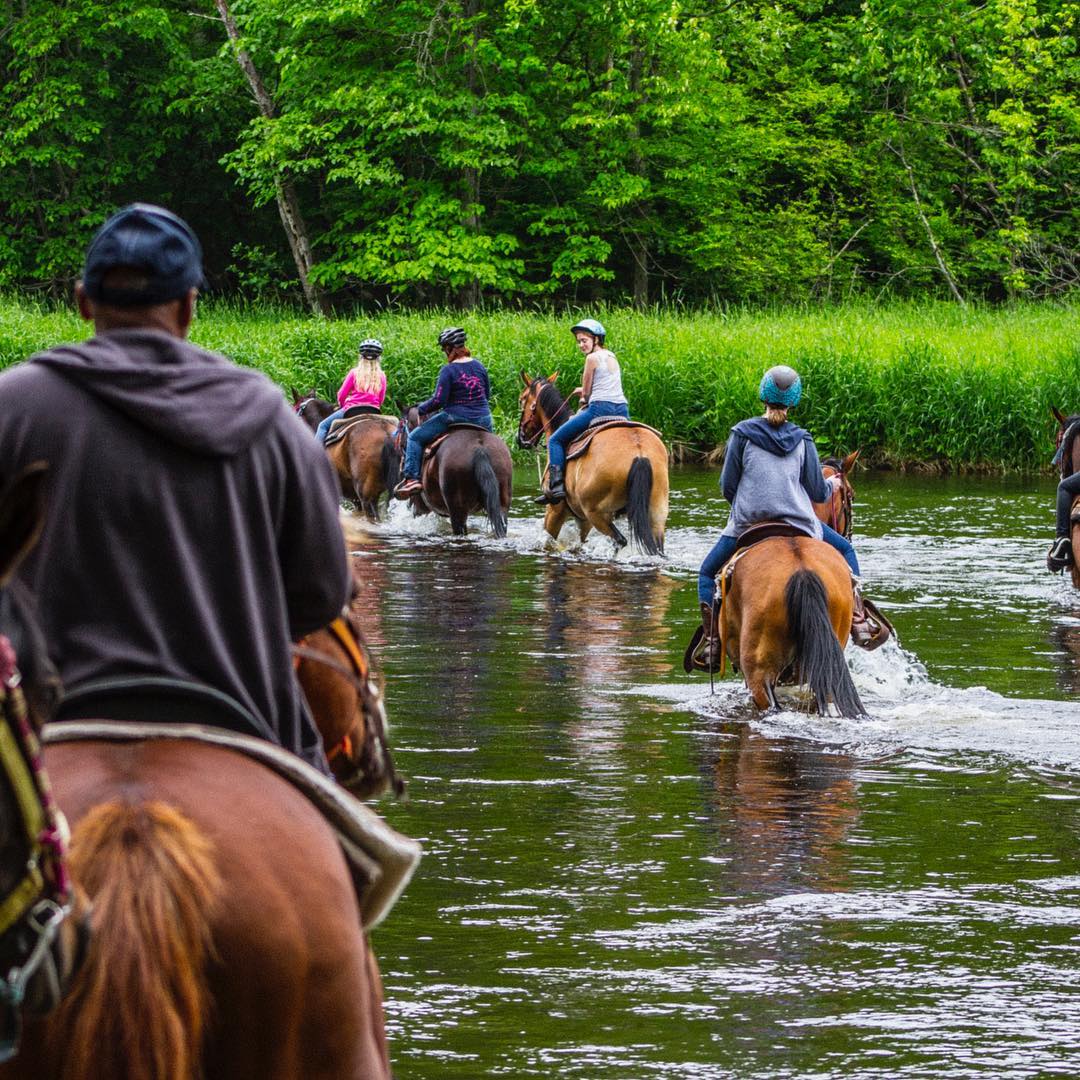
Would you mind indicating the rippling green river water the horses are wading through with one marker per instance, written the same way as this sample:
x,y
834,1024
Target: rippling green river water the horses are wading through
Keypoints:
x,y
628,877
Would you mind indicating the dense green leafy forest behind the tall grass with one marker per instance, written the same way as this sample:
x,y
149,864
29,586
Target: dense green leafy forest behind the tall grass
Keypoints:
x,y
531,152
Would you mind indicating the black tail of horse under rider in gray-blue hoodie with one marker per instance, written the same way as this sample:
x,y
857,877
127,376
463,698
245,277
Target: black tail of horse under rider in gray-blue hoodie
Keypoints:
x,y
819,659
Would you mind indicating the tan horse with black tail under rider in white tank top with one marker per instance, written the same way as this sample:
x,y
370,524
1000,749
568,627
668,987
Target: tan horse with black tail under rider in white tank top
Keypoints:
x,y
624,472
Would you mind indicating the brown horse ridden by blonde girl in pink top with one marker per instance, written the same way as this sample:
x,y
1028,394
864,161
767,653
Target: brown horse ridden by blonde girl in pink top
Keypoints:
x,y
368,460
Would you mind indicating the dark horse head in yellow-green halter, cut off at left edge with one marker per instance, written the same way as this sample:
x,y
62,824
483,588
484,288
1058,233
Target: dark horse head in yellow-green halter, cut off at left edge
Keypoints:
x,y
40,950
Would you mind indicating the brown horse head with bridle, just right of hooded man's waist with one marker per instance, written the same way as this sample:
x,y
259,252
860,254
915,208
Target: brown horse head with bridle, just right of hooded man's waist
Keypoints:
x,y
345,695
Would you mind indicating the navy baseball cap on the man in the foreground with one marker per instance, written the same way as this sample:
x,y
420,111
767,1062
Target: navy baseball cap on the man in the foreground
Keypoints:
x,y
147,239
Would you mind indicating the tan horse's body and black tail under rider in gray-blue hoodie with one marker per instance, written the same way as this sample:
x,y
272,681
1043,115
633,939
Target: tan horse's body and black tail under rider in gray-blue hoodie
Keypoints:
x,y
786,616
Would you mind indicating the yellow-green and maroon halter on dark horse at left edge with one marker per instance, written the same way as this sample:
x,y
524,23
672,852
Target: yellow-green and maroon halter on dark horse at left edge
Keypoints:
x,y
35,908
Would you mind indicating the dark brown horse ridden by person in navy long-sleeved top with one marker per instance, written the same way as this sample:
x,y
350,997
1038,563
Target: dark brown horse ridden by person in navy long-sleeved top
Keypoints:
x,y
468,470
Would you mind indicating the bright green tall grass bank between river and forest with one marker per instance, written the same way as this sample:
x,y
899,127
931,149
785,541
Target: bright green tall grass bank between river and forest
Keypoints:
x,y
927,385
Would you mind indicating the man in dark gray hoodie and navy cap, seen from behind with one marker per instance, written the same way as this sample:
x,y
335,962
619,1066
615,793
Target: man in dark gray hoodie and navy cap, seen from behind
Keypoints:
x,y
193,529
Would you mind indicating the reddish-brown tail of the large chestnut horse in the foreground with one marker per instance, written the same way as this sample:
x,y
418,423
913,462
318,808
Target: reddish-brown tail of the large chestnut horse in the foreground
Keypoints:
x,y
140,1007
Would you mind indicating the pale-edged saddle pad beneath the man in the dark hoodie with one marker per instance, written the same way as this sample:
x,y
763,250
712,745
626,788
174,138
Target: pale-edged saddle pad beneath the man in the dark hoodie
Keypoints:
x,y
381,859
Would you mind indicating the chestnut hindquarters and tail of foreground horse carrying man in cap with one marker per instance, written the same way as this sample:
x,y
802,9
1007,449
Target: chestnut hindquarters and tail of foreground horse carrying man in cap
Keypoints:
x,y
225,936
